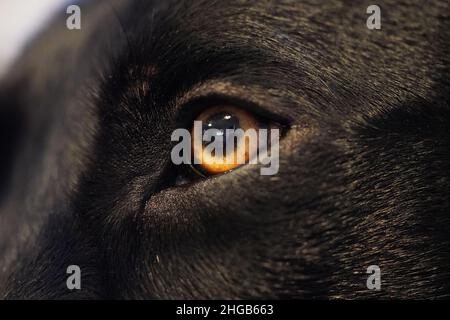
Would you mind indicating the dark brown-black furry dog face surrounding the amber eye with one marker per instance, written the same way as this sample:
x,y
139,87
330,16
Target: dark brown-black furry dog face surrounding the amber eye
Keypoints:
x,y
87,178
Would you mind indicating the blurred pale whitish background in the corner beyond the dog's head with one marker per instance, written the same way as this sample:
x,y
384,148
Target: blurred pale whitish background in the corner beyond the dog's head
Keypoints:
x,y
19,21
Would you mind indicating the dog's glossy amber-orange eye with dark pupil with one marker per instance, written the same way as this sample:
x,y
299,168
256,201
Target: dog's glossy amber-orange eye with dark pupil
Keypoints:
x,y
224,138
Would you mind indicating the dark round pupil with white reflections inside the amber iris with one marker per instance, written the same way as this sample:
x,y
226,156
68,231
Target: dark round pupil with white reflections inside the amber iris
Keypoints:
x,y
220,122
